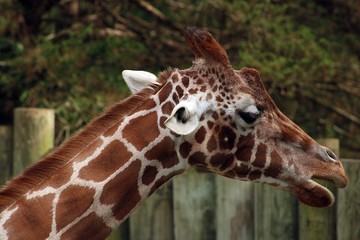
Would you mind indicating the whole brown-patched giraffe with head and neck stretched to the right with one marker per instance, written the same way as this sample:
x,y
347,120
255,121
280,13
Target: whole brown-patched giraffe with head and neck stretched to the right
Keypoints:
x,y
208,116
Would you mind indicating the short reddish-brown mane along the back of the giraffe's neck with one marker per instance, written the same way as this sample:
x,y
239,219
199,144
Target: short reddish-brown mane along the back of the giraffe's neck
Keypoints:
x,y
42,170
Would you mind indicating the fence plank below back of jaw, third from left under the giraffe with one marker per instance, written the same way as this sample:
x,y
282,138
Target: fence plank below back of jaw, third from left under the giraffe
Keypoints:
x,y
194,206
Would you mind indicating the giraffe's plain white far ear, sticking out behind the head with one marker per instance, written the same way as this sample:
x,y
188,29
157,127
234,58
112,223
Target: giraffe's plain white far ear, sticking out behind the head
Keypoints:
x,y
138,80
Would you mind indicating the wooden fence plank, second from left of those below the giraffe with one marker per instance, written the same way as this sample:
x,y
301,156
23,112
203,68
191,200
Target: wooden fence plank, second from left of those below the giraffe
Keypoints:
x,y
153,220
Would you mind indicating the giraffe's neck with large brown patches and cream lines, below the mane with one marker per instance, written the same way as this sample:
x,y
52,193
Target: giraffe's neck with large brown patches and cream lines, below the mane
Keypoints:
x,y
95,191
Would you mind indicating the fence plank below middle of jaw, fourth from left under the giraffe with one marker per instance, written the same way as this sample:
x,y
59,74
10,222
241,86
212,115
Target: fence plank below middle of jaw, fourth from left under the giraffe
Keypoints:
x,y
235,209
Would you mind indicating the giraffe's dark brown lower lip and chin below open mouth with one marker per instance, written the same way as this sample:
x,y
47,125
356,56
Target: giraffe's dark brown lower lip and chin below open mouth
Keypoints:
x,y
314,194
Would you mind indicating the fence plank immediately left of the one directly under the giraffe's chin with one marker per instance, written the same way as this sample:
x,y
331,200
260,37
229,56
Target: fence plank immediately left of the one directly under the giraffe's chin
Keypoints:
x,y
275,214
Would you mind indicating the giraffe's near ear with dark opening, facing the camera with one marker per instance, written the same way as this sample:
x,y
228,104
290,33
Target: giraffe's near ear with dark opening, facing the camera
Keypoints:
x,y
183,119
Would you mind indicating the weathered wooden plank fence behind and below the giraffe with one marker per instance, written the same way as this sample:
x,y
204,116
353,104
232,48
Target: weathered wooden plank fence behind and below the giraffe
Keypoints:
x,y
199,206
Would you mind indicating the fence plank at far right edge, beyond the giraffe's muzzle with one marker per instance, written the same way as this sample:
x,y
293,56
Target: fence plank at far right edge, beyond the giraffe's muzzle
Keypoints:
x,y
348,210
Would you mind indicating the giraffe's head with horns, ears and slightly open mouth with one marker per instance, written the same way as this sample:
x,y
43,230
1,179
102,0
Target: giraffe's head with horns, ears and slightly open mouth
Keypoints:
x,y
223,120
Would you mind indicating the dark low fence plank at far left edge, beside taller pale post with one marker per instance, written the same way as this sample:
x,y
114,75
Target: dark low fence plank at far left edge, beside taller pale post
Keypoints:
x,y
6,142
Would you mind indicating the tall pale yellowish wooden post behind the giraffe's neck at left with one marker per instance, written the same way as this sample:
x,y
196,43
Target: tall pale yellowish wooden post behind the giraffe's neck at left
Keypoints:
x,y
33,135
